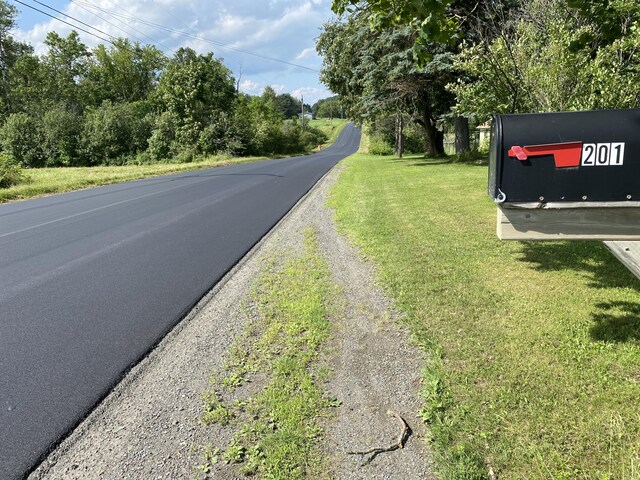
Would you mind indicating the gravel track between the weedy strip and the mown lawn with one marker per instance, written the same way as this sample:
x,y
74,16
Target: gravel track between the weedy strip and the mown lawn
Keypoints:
x,y
375,367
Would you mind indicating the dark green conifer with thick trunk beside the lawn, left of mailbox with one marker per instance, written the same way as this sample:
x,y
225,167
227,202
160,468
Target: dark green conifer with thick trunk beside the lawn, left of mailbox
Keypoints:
x,y
381,78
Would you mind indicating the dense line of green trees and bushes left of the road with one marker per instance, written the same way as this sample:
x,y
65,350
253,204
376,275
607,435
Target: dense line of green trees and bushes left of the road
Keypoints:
x,y
126,102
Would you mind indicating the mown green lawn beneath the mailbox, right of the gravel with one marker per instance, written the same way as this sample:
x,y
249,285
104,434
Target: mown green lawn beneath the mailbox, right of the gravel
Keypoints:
x,y
535,347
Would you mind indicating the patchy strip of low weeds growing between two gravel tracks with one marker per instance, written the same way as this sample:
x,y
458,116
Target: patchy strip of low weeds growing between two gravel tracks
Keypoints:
x,y
277,428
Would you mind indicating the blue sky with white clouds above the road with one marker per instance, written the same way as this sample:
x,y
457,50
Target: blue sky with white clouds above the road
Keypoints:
x,y
240,32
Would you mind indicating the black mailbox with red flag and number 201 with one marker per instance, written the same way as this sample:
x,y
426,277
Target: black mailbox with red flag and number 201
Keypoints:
x,y
566,157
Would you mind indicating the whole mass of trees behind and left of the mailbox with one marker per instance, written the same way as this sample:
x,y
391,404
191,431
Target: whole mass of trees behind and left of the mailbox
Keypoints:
x,y
448,65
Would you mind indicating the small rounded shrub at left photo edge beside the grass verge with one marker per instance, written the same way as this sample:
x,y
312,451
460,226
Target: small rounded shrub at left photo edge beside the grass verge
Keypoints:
x,y
22,140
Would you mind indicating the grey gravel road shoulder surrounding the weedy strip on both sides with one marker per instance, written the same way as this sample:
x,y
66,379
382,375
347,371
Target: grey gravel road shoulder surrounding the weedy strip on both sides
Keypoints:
x,y
149,427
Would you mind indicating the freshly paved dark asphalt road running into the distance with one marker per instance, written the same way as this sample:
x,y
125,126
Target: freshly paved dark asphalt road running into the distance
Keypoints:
x,y
91,280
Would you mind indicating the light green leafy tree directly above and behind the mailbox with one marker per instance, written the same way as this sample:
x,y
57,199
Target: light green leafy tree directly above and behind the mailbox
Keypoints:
x,y
532,63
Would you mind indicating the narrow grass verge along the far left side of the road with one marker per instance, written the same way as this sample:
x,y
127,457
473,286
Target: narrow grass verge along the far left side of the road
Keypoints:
x,y
47,181
